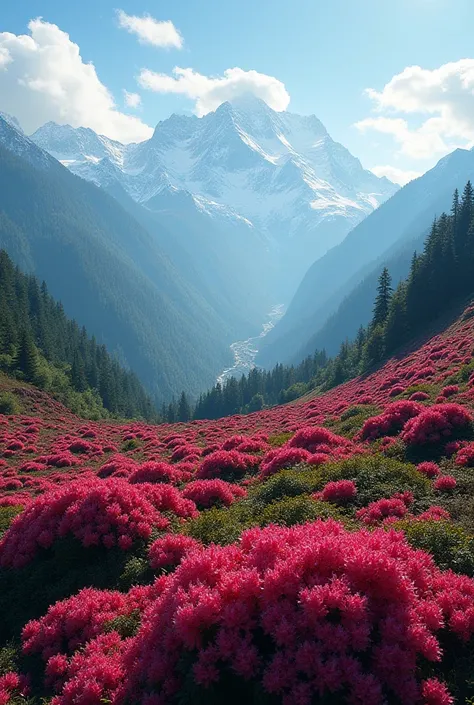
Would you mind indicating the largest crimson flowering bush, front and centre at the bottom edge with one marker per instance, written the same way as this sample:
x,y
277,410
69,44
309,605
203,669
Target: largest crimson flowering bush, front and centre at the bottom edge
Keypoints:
x,y
295,611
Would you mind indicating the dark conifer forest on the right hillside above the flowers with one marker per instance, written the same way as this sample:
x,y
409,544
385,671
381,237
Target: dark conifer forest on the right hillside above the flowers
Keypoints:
x,y
441,275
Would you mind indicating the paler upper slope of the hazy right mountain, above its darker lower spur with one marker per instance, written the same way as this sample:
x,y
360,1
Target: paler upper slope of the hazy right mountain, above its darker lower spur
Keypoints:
x,y
329,280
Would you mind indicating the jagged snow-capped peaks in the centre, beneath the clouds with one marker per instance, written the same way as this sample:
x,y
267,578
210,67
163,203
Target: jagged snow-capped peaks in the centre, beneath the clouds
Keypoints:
x,y
281,173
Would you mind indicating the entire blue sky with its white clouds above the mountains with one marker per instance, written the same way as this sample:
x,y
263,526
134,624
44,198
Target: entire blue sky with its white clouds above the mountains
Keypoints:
x,y
322,54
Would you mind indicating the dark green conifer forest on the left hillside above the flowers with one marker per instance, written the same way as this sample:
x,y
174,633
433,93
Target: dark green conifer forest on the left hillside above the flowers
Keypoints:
x,y
40,345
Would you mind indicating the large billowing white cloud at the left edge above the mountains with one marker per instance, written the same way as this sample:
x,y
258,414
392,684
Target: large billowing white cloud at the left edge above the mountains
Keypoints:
x,y
45,78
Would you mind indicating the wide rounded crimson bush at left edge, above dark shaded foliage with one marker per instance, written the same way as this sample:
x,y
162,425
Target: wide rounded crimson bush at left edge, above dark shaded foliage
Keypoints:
x,y
107,512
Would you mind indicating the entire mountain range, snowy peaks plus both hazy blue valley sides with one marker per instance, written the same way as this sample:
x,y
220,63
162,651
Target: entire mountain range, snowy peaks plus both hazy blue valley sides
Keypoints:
x,y
235,206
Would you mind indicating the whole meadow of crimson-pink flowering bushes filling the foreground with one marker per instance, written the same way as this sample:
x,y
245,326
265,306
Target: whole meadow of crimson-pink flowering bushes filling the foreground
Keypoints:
x,y
315,553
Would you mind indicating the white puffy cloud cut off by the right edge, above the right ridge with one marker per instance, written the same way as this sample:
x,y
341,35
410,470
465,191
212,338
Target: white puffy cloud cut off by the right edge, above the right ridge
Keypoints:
x,y
441,100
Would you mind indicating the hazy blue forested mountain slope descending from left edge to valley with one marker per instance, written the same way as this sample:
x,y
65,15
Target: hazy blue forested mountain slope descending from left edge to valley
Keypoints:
x,y
108,271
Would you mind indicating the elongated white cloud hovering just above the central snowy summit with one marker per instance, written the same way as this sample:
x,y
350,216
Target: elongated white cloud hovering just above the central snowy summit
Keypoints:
x,y
209,92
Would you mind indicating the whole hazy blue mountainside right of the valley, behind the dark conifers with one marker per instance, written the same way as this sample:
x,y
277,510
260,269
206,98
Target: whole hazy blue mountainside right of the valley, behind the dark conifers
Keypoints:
x,y
335,296
